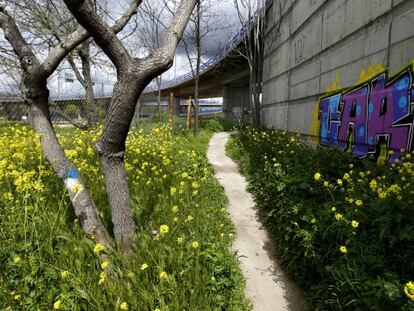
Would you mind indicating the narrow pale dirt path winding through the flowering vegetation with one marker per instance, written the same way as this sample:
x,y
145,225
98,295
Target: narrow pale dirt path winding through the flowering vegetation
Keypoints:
x,y
266,285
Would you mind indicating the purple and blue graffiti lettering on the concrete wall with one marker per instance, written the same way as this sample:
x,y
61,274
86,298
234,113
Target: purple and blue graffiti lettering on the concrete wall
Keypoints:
x,y
372,118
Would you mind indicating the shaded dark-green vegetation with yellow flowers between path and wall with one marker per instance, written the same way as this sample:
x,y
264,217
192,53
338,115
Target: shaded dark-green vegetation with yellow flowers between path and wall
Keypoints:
x,y
343,227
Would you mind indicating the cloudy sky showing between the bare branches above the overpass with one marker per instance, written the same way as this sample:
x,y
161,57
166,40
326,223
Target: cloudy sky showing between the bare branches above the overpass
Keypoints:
x,y
60,84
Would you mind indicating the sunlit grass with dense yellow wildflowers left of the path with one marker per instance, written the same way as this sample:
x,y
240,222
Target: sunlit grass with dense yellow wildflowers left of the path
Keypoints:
x,y
181,259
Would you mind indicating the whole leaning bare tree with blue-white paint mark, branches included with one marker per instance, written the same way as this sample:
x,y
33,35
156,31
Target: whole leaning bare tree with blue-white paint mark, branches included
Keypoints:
x,y
36,94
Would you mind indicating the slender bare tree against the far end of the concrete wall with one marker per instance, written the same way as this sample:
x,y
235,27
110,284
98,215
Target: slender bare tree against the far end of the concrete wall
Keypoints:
x,y
261,31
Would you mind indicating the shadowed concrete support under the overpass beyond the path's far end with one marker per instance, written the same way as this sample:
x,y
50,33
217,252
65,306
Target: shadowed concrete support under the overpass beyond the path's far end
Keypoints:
x,y
236,102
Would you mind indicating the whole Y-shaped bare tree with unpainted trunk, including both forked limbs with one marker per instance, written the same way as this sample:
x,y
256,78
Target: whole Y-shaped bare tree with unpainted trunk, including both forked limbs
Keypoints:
x,y
133,75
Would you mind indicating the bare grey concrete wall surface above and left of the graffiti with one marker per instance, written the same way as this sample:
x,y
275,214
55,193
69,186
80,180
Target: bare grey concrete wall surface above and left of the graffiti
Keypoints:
x,y
327,43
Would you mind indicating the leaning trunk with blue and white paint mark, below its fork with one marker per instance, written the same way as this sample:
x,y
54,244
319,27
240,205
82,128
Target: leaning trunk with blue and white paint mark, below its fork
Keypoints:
x,y
79,195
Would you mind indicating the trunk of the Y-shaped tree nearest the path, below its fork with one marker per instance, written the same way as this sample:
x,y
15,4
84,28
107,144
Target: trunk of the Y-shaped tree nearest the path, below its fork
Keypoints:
x,y
111,148
